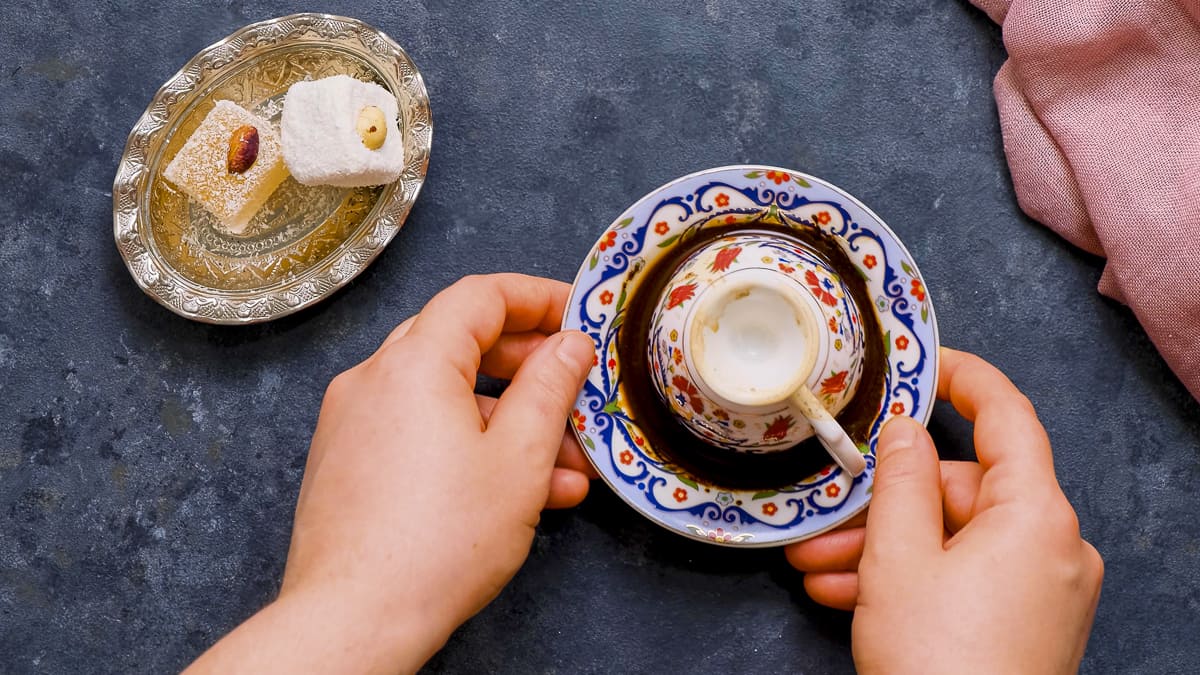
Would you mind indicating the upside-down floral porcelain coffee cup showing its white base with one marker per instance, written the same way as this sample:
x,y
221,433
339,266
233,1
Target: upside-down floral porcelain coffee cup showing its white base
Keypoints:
x,y
743,325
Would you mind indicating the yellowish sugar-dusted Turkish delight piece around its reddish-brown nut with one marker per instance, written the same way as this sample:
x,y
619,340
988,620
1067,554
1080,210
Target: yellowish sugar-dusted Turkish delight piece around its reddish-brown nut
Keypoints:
x,y
201,170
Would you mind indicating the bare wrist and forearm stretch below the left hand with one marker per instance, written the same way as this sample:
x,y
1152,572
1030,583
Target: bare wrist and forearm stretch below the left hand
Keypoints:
x,y
316,634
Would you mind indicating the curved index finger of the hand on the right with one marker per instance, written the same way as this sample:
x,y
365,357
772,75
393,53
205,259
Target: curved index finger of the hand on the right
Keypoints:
x,y
1010,440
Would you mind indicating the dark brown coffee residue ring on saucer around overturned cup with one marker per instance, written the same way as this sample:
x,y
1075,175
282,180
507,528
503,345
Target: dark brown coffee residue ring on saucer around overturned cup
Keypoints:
x,y
721,468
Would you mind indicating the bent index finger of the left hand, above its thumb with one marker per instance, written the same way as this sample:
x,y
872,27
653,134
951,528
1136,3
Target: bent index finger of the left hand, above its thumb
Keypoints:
x,y
469,318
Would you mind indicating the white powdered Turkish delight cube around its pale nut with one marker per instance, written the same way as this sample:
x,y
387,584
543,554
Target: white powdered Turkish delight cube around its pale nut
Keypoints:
x,y
321,144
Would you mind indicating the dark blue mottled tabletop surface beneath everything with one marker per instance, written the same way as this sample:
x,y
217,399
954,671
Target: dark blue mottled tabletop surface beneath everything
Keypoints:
x,y
149,465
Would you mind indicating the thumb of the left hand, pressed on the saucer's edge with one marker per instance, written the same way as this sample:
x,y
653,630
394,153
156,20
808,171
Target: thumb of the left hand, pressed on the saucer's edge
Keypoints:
x,y
533,410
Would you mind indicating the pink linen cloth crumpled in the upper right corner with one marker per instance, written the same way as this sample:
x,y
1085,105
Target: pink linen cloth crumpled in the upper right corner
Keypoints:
x,y
1100,107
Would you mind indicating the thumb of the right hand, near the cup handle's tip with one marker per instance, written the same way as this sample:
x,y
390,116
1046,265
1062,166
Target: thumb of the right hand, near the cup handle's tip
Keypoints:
x,y
905,521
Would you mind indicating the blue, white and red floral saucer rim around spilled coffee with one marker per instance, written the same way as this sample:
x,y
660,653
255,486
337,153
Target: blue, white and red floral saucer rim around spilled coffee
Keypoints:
x,y
609,429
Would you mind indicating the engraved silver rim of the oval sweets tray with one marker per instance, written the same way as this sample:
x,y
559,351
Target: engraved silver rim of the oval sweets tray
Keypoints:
x,y
163,282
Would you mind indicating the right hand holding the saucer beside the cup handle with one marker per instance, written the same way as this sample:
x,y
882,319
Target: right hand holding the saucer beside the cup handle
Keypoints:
x,y
963,568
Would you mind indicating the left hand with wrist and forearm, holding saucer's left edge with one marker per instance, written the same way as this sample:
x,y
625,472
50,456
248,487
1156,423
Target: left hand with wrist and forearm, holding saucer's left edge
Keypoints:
x,y
421,499
